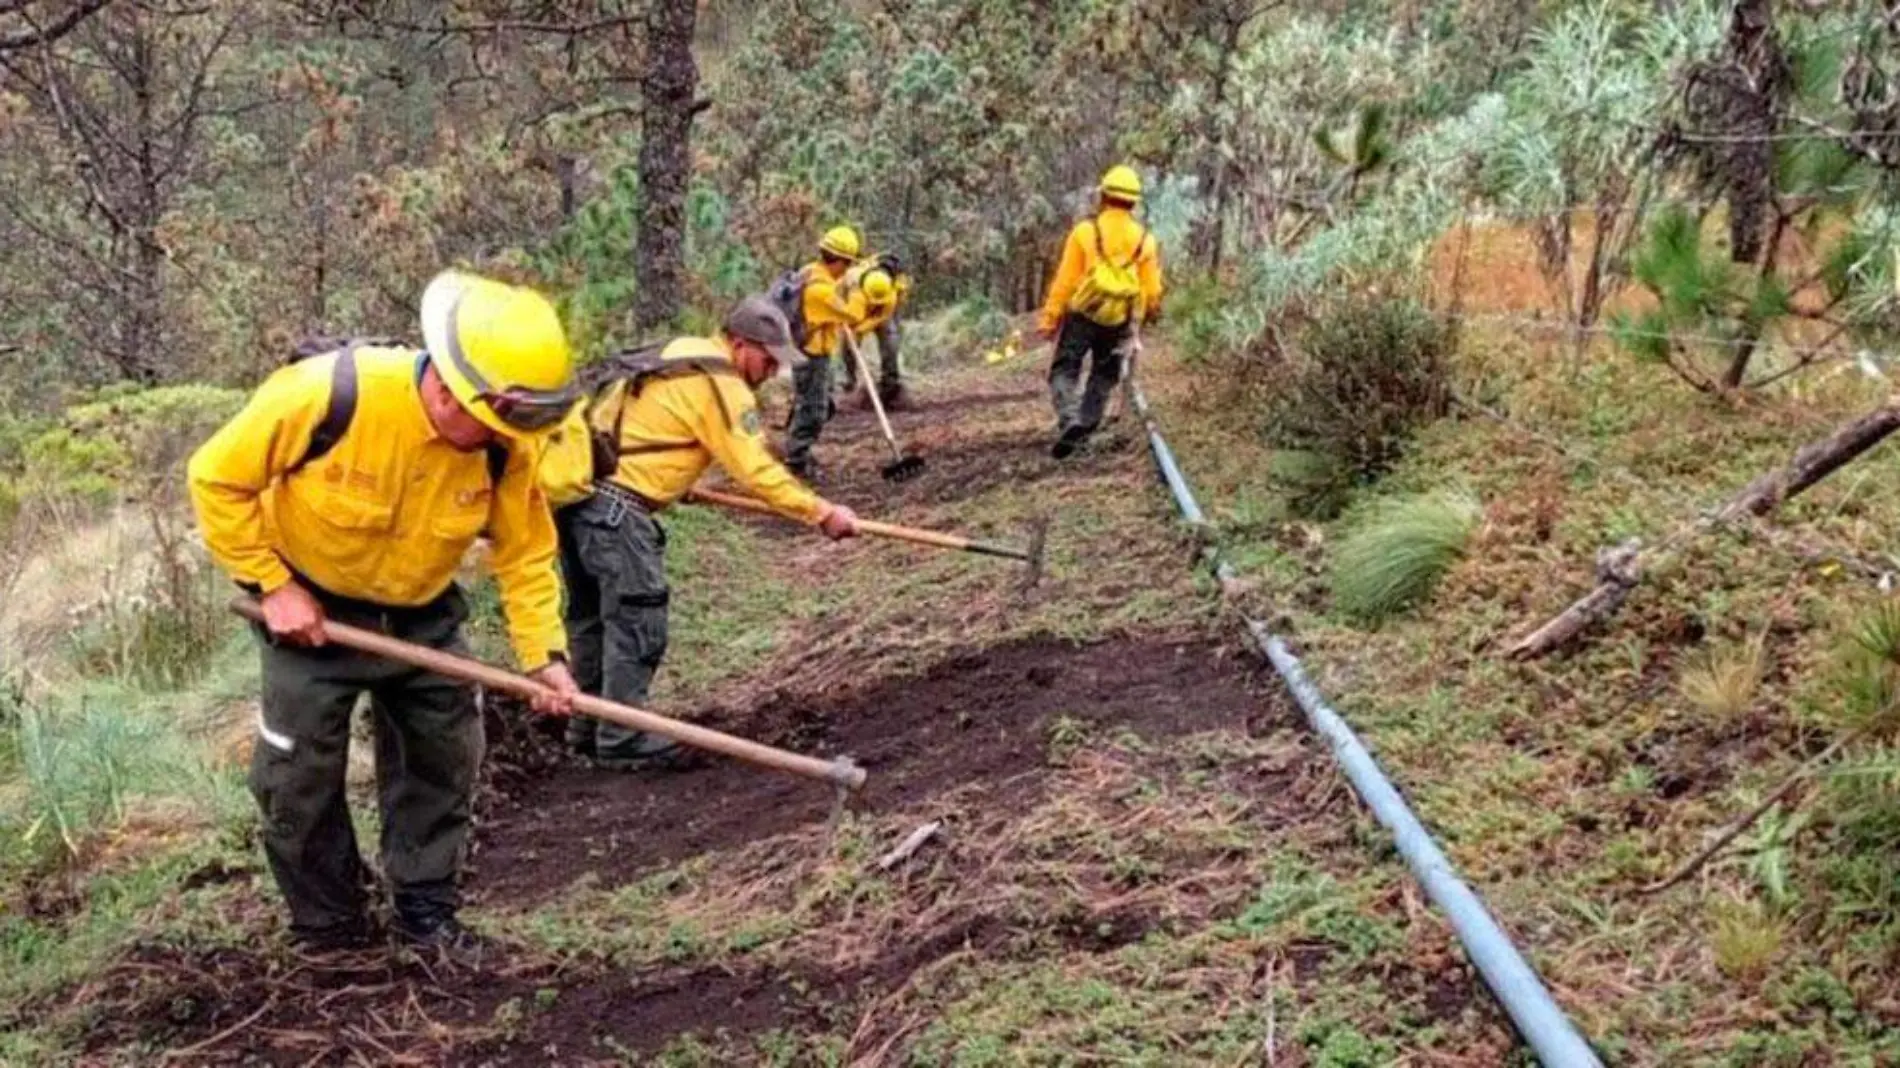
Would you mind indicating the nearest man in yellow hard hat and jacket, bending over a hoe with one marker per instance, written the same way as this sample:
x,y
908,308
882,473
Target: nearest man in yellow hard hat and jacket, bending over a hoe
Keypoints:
x,y
349,489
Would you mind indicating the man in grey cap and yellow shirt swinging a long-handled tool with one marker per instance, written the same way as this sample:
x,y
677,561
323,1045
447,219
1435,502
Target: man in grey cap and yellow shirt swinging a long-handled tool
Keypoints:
x,y
664,417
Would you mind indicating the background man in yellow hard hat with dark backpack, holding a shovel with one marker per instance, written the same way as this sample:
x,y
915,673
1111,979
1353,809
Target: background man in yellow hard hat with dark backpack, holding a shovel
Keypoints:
x,y
820,307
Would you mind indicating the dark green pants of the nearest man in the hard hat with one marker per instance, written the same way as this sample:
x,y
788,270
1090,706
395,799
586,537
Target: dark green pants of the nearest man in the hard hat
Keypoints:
x,y
428,750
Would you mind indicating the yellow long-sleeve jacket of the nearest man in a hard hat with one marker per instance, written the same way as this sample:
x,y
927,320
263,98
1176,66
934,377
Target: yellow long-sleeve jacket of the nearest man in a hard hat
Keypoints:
x,y
387,514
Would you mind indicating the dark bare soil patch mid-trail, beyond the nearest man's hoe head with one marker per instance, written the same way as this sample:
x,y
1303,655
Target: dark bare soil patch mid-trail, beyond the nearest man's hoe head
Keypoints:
x,y
978,717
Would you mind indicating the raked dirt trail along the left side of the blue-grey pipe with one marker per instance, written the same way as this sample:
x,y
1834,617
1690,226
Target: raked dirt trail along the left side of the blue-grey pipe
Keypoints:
x,y
1143,860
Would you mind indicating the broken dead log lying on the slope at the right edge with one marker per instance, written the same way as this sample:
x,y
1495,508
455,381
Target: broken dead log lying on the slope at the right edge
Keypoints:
x,y
1622,569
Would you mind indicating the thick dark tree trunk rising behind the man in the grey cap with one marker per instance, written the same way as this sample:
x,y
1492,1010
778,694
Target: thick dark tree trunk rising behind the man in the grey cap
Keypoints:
x,y
666,161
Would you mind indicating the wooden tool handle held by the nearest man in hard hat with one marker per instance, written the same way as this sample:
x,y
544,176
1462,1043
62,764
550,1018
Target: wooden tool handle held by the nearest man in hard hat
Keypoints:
x,y
453,666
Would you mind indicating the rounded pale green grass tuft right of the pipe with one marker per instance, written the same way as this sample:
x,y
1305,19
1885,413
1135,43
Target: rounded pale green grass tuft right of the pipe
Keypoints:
x,y
1397,554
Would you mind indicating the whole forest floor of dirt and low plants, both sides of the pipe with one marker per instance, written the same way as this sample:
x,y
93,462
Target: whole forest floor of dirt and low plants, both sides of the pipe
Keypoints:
x,y
1145,856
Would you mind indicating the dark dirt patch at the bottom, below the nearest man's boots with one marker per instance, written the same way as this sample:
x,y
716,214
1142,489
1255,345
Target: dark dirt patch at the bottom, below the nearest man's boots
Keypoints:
x,y
240,1008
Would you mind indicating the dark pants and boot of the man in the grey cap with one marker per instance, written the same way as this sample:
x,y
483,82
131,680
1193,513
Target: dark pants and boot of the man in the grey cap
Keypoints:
x,y
615,565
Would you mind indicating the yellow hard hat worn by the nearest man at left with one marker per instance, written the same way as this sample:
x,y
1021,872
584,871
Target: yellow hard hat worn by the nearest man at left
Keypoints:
x,y
503,353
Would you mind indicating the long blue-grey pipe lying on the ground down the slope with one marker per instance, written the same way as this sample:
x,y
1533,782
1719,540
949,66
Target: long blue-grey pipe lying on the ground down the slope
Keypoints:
x,y
1536,1014
